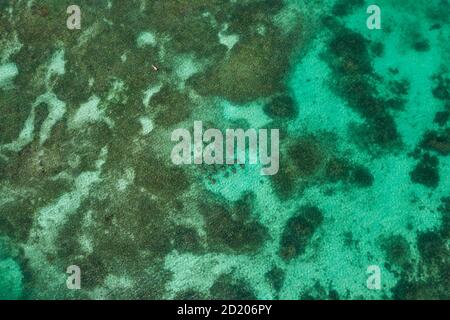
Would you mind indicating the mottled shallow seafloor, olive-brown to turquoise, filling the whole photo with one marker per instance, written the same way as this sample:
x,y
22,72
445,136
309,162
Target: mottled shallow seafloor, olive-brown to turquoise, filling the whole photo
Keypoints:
x,y
85,171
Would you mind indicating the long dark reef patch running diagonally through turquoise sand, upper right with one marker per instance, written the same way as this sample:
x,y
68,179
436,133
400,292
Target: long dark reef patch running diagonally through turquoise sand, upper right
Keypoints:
x,y
351,62
